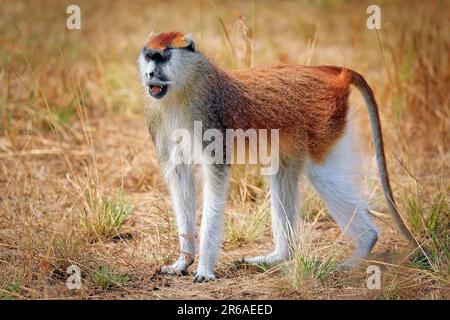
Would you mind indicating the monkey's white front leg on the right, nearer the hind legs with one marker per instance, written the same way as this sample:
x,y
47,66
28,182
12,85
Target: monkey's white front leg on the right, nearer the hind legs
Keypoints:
x,y
215,195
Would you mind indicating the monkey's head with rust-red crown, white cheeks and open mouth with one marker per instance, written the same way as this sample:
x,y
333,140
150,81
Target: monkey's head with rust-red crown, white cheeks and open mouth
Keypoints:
x,y
167,63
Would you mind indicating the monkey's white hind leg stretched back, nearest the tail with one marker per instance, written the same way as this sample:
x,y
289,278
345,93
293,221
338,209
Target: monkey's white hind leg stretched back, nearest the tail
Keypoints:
x,y
334,180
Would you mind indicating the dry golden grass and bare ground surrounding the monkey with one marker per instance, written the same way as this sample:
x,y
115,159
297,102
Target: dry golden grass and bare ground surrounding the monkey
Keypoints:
x,y
79,181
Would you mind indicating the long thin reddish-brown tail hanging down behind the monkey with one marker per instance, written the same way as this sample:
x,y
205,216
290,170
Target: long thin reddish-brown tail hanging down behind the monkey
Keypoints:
x,y
372,107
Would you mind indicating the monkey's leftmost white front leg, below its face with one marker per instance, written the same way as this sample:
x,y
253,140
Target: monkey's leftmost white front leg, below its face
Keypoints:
x,y
182,189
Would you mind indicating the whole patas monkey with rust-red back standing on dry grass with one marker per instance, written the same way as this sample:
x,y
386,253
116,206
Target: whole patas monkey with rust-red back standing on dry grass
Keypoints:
x,y
309,107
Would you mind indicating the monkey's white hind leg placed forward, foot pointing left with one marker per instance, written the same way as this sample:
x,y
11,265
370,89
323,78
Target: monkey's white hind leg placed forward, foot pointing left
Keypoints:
x,y
284,207
